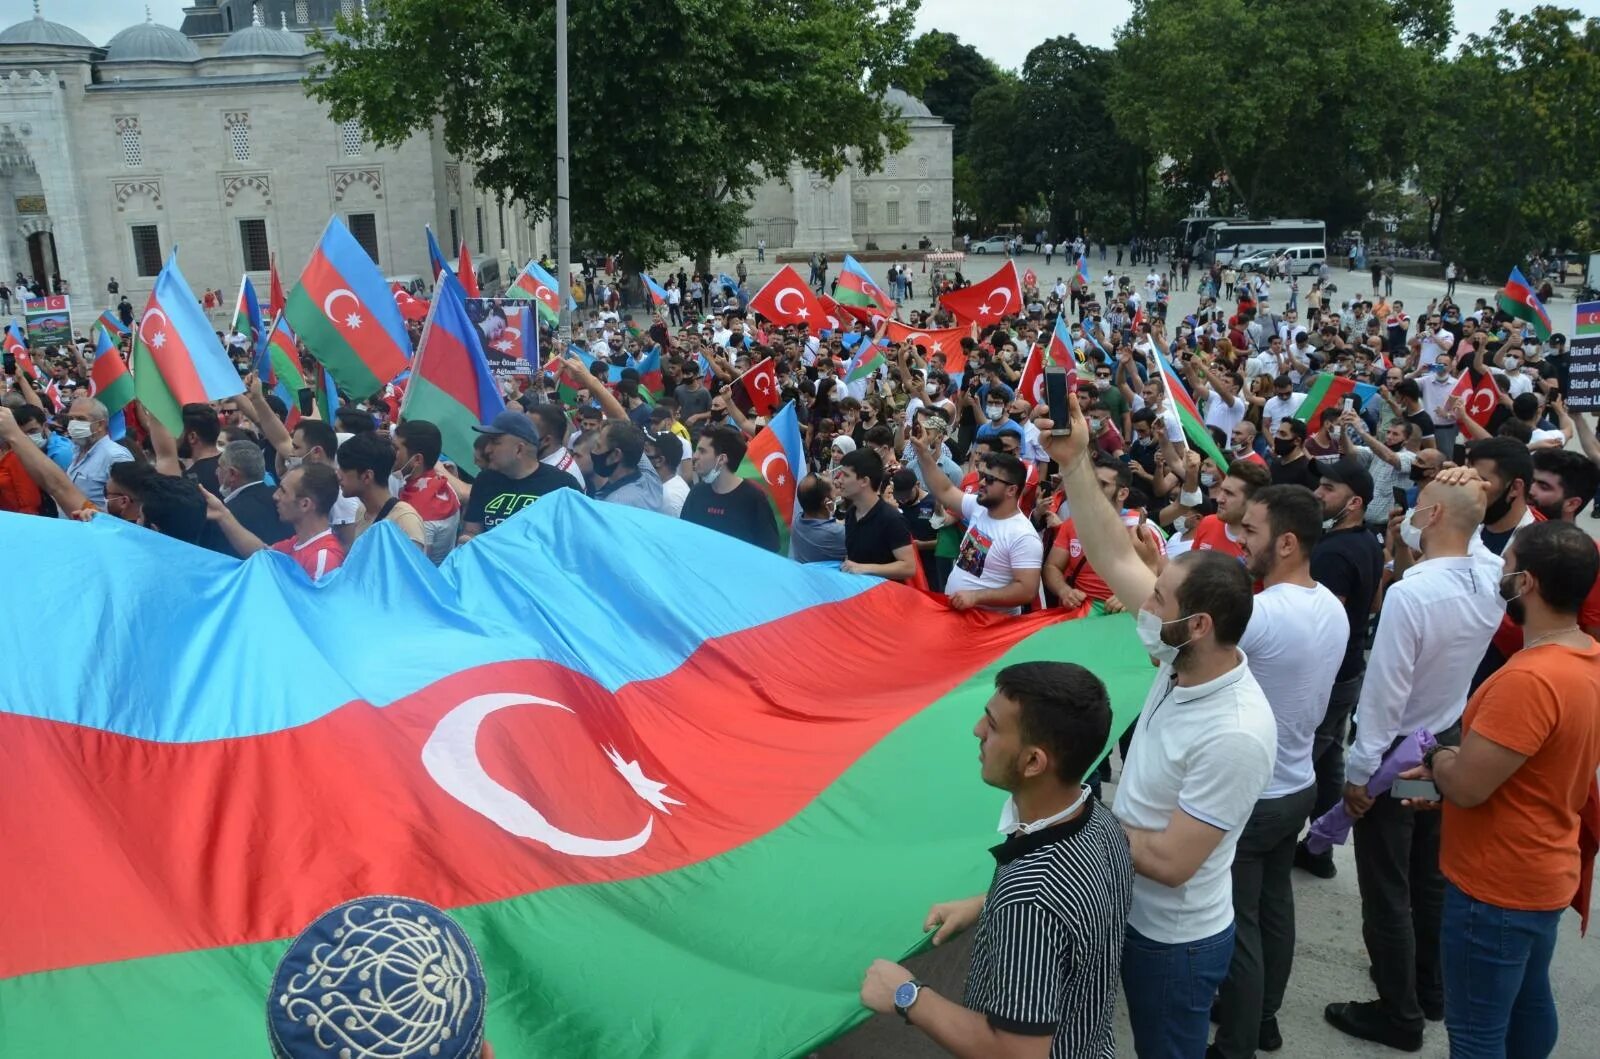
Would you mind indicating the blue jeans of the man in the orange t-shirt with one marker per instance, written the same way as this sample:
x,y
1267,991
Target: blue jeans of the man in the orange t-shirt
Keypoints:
x,y
1497,967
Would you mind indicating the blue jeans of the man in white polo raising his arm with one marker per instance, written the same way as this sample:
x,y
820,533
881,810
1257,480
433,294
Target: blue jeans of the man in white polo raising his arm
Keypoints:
x,y
1170,991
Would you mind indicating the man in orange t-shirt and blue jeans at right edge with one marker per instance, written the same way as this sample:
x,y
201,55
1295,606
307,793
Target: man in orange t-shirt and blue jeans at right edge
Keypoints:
x,y
1514,799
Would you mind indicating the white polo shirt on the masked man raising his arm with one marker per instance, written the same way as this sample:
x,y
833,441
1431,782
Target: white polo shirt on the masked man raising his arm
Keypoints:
x,y
1207,749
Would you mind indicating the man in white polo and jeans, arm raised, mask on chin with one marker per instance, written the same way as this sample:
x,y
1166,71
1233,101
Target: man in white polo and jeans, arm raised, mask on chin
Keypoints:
x,y
1202,756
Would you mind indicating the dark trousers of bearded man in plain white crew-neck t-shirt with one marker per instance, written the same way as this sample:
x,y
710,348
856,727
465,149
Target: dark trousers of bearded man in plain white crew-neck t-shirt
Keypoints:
x,y
1263,922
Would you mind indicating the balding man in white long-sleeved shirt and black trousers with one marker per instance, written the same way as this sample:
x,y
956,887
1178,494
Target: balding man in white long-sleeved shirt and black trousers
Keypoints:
x,y
1433,633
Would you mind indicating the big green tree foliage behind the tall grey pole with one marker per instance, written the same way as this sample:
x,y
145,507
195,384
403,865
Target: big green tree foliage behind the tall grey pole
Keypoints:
x,y
681,110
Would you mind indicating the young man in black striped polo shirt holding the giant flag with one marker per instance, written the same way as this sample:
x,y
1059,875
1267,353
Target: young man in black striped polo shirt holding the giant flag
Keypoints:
x,y
1050,930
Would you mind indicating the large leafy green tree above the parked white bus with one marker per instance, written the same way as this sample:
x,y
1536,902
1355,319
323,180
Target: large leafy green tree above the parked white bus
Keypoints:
x,y
1295,102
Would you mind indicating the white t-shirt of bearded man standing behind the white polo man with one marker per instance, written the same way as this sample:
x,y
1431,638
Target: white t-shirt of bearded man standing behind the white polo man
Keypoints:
x,y
1295,642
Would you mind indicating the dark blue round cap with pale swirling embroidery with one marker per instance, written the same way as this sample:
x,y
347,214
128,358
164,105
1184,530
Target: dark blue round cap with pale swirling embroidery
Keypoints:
x,y
391,978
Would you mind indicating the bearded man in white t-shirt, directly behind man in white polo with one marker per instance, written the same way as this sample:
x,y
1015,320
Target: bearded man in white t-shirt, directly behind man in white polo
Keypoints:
x,y
1294,645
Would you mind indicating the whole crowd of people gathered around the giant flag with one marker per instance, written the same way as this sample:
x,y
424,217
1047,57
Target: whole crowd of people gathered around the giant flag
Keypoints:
x,y
1393,562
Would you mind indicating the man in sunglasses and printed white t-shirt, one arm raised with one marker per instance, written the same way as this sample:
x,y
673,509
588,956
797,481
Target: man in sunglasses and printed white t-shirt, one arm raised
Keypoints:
x,y
1001,556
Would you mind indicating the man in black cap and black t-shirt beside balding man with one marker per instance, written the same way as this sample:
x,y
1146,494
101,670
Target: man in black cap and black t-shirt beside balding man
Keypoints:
x,y
1350,562
